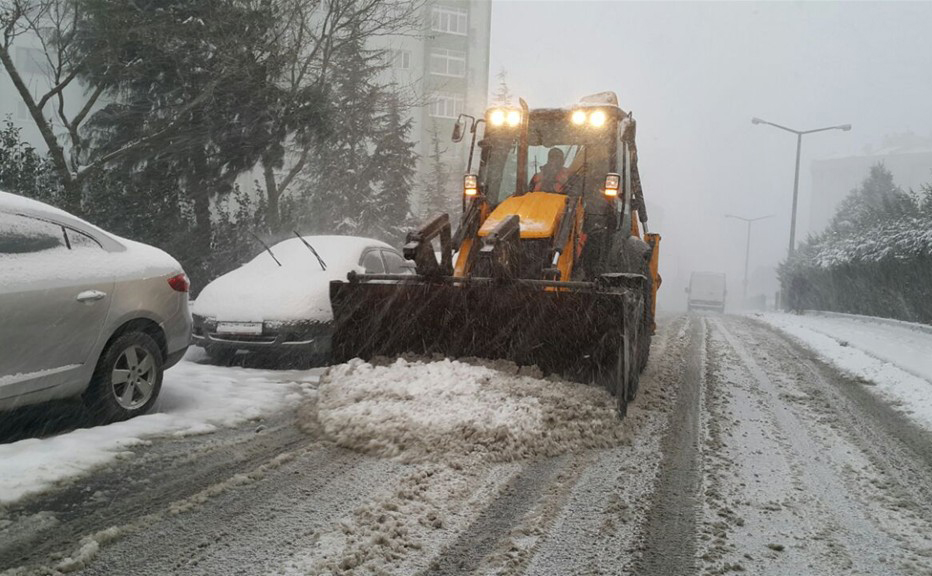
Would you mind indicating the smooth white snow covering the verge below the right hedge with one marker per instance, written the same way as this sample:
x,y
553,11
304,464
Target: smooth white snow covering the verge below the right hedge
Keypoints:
x,y
895,356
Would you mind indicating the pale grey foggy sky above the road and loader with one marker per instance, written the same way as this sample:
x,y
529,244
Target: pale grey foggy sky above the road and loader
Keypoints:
x,y
695,73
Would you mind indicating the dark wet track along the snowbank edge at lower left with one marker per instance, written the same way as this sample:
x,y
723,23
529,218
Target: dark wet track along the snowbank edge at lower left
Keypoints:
x,y
164,471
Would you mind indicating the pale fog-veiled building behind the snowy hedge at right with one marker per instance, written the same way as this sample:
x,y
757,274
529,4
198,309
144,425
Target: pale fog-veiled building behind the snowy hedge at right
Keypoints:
x,y
907,156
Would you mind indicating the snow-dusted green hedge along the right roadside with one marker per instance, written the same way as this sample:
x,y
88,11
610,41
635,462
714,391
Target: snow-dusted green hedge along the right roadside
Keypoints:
x,y
875,258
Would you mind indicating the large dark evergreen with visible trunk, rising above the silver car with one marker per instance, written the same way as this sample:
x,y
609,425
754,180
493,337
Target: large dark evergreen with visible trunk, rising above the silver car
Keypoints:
x,y
193,79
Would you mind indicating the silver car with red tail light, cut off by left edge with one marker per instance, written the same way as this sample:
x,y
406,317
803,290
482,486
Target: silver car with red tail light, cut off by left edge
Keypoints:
x,y
85,313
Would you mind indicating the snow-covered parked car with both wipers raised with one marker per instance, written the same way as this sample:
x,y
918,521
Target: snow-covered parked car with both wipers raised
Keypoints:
x,y
279,302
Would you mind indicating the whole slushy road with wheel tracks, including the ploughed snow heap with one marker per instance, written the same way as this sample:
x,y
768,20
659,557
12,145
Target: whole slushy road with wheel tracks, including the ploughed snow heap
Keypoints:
x,y
744,451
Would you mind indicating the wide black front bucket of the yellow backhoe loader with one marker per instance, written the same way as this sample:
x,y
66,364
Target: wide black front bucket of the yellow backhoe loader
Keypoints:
x,y
576,329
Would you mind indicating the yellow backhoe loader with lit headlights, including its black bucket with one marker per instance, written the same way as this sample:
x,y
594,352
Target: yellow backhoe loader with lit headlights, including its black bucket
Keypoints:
x,y
554,266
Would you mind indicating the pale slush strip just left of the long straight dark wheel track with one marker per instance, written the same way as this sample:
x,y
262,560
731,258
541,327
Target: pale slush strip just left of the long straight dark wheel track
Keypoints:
x,y
600,526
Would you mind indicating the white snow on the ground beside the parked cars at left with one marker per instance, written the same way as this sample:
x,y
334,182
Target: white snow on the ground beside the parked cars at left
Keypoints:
x,y
195,399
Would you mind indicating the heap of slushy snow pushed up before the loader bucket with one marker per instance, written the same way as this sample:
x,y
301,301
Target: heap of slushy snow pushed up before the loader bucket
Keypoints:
x,y
414,410
